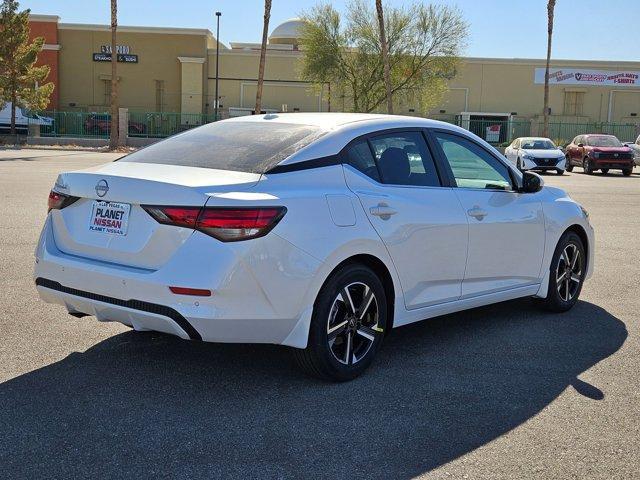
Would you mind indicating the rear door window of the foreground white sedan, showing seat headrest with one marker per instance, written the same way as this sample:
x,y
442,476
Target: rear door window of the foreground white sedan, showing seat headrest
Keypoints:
x,y
404,159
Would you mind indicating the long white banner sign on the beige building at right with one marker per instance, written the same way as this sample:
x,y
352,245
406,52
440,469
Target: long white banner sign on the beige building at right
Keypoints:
x,y
574,76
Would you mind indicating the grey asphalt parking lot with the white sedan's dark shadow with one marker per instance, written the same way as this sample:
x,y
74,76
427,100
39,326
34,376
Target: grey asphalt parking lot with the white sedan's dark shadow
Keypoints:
x,y
505,391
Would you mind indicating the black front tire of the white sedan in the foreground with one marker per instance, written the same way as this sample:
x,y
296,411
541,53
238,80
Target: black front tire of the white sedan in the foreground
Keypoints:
x,y
559,299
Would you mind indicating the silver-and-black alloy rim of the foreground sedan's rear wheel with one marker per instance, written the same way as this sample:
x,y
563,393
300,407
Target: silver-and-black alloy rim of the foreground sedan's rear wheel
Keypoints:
x,y
352,325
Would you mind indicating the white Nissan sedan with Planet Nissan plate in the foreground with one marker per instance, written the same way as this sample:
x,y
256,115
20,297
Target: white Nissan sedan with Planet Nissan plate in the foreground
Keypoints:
x,y
321,232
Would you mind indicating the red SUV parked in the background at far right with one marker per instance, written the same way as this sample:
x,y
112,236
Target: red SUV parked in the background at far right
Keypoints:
x,y
599,152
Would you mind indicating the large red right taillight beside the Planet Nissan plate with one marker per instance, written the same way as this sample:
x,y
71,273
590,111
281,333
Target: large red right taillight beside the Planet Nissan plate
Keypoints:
x,y
227,224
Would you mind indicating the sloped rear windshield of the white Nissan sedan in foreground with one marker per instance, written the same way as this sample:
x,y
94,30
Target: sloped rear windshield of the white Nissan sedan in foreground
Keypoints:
x,y
253,147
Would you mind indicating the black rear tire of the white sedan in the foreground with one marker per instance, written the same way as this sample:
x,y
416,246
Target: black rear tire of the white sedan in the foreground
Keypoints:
x,y
320,358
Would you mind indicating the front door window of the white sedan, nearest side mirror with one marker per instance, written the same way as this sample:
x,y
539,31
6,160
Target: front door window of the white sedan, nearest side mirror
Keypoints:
x,y
471,165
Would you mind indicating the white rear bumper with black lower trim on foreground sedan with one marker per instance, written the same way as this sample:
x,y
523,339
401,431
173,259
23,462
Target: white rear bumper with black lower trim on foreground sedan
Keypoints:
x,y
258,286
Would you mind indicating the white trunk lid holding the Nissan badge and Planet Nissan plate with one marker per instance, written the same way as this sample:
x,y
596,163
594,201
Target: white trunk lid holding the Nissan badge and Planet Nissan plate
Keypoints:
x,y
108,222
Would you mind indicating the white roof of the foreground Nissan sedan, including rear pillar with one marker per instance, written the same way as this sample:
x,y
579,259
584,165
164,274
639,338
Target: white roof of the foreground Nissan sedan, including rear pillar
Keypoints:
x,y
341,128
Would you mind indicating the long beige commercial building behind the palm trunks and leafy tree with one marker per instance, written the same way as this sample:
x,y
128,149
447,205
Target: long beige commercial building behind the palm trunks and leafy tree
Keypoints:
x,y
174,70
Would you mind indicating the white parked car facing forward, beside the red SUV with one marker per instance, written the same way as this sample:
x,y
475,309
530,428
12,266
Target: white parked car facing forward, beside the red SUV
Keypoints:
x,y
536,153
